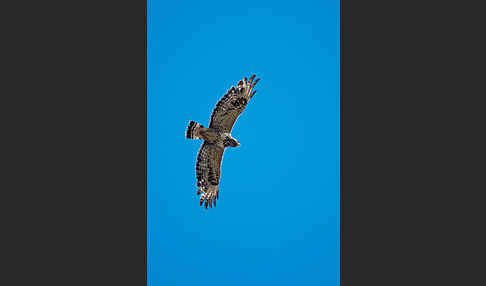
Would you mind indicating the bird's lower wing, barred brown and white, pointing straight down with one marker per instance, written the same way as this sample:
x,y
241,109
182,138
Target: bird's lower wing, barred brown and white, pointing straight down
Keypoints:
x,y
208,171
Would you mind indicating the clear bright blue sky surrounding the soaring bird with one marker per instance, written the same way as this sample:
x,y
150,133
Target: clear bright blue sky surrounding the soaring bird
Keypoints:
x,y
277,219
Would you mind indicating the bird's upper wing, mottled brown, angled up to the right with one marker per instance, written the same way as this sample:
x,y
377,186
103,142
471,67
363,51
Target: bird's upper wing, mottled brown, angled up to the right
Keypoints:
x,y
232,104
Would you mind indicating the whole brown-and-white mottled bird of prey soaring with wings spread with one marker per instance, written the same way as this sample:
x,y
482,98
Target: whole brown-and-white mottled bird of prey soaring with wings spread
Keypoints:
x,y
217,137
